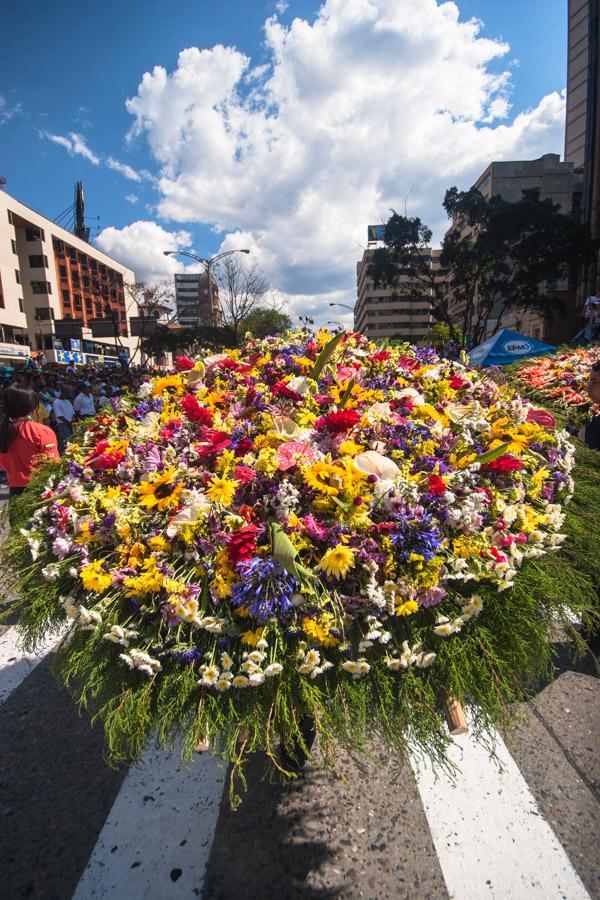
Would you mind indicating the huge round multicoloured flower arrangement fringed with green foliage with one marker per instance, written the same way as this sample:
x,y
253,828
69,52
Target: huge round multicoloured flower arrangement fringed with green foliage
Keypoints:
x,y
309,527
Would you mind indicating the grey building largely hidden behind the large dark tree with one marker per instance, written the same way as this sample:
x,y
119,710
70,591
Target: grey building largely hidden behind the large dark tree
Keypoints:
x,y
554,180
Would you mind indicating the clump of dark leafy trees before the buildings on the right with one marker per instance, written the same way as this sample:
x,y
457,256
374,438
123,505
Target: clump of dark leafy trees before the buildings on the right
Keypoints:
x,y
497,256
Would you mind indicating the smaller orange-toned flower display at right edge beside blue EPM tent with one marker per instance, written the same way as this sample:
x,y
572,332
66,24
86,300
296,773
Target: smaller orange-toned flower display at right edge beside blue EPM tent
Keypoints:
x,y
560,380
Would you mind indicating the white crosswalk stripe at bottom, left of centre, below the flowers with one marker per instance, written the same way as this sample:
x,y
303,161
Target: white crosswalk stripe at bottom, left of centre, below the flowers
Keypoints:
x,y
157,838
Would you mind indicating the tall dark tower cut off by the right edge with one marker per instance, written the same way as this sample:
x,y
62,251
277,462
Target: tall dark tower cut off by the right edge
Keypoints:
x,y
582,131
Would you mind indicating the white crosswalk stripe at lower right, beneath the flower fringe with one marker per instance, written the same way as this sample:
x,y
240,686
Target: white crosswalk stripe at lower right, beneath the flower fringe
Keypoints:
x,y
490,837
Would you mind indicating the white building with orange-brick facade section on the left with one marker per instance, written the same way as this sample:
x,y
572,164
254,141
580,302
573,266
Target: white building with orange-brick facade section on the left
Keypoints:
x,y
58,293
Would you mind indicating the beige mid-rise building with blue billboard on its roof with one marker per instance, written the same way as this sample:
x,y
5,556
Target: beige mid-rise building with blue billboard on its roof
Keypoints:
x,y
386,312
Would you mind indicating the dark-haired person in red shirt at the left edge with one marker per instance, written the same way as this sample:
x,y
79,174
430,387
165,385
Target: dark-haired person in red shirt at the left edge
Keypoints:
x,y
23,441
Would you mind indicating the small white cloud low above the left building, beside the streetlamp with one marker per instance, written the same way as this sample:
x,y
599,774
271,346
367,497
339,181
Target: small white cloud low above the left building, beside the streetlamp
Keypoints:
x,y
141,246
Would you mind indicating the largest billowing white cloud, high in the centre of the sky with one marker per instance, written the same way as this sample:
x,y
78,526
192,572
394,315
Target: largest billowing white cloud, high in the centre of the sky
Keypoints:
x,y
373,100
